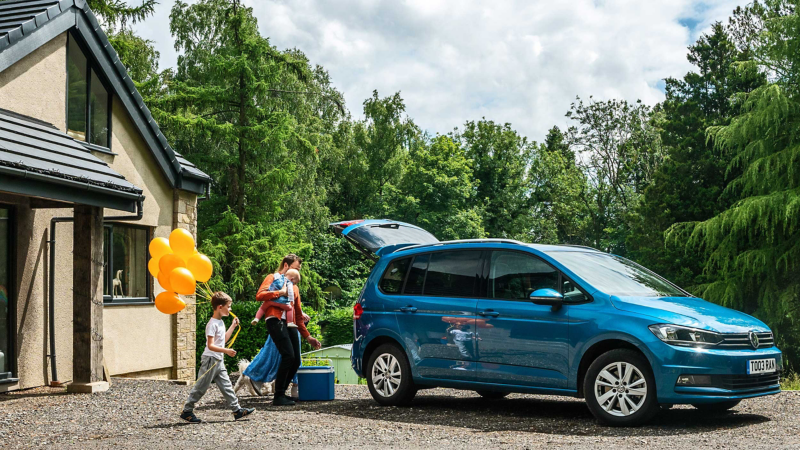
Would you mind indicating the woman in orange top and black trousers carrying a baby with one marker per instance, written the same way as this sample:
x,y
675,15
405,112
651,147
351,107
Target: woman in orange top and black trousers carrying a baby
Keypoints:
x,y
285,322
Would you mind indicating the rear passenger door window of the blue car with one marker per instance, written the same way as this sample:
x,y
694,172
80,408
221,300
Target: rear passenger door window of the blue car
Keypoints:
x,y
453,274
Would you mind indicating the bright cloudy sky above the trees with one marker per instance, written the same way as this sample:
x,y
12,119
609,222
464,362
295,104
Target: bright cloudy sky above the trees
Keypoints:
x,y
521,62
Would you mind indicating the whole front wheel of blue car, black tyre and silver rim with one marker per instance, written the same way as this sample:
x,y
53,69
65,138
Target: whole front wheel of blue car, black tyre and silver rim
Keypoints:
x,y
620,389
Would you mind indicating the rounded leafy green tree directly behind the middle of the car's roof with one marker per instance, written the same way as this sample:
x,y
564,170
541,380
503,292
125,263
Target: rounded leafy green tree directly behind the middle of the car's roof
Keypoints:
x,y
500,159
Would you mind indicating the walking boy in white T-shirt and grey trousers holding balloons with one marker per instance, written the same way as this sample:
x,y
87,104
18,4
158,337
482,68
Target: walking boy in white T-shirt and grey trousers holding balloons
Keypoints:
x,y
212,368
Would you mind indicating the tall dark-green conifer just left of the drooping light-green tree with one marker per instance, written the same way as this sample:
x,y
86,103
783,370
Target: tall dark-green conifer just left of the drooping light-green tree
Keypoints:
x,y
688,186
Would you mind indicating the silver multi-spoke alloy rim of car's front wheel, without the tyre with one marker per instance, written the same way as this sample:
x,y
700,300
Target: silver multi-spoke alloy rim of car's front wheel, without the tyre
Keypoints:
x,y
620,389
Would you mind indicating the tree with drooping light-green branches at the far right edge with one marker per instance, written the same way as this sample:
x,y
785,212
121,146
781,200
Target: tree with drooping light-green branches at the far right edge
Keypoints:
x,y
751,249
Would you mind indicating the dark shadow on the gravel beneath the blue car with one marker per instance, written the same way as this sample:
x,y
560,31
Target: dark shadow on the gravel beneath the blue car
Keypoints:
x,y
567,417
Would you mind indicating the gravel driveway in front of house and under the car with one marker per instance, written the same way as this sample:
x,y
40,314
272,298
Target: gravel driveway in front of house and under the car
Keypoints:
x,y
144,414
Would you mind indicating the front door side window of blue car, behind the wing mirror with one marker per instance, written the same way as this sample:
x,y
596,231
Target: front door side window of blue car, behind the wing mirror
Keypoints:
x,y
516,275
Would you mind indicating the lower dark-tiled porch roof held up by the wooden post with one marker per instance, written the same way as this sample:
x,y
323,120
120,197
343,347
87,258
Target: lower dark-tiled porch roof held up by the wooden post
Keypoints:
x,y
39,160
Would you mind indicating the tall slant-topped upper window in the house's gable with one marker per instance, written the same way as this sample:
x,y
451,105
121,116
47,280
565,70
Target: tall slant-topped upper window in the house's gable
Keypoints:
x,y
88,100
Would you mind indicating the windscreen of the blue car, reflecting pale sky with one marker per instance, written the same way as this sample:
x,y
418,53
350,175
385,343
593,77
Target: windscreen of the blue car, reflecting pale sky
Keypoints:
x,y
614,275
